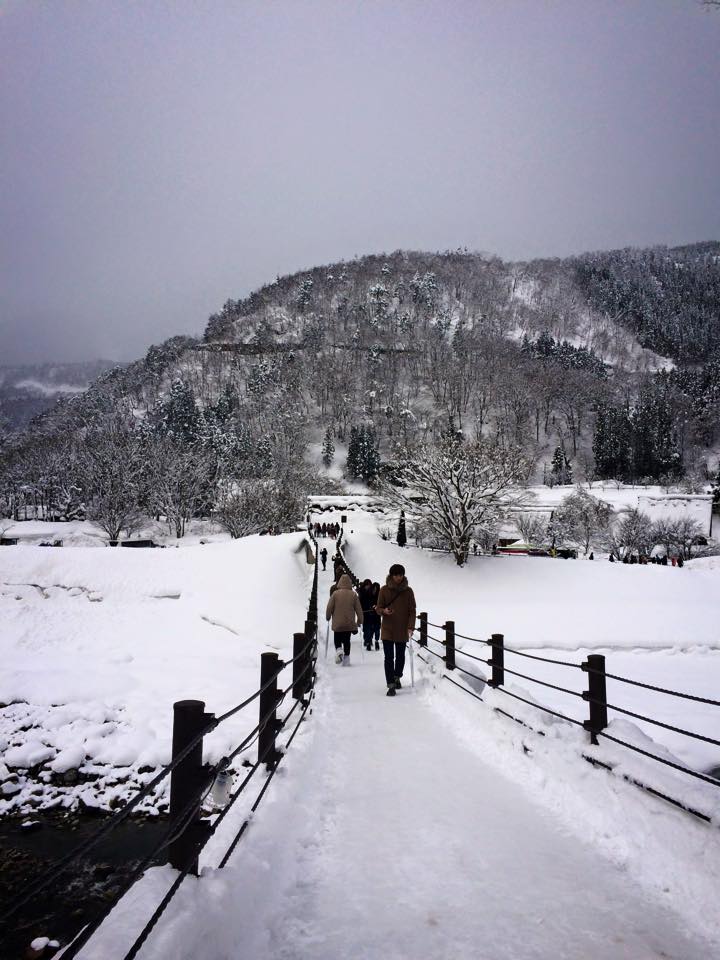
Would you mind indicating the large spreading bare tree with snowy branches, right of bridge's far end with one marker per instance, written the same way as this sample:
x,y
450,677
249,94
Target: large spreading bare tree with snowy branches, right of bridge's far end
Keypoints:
x,y
457,488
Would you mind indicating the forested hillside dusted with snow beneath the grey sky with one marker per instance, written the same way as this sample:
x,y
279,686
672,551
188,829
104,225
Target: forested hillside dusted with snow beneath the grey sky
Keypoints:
x,y
603,365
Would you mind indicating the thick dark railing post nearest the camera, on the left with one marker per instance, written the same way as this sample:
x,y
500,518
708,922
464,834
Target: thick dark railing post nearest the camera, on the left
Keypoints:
x,y
189,720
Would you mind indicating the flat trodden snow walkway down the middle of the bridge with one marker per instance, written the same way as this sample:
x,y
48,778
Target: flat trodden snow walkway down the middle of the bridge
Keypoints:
x,y
395,873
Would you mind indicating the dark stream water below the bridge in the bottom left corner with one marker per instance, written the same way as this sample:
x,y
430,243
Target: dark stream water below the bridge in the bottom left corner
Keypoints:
x,y
27,853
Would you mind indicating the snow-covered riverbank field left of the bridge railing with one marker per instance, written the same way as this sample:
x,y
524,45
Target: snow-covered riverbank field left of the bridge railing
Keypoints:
x,y
97,645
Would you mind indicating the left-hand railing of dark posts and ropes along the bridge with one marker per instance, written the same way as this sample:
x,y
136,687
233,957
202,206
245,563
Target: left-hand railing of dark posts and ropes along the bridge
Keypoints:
x,y
192,782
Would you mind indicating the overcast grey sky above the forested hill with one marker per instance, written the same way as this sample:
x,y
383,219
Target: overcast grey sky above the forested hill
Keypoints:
x,y
157,157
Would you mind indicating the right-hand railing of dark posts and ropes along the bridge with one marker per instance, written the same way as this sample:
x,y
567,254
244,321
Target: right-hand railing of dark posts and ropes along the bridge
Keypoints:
x,y
595,696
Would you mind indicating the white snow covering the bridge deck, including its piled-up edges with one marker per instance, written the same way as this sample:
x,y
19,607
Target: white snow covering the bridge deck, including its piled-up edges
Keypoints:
x,y
429,827
